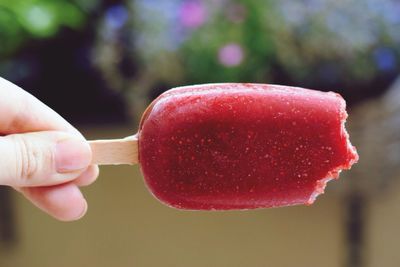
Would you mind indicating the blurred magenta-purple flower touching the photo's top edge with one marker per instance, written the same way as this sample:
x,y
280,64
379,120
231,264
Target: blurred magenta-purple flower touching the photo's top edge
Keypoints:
x,y
192,13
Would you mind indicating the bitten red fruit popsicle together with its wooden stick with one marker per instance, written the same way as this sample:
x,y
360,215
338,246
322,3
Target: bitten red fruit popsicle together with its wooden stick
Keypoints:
x,y
237,146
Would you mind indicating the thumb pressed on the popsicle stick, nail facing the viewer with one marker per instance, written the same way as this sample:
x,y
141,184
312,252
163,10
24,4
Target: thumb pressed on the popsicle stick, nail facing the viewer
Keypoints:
x,y
42,158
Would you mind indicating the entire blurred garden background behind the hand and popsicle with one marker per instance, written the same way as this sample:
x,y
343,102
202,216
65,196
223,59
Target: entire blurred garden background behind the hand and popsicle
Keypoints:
x,y
99,64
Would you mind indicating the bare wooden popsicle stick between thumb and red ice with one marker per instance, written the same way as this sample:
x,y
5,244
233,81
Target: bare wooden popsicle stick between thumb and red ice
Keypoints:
x,y
115,151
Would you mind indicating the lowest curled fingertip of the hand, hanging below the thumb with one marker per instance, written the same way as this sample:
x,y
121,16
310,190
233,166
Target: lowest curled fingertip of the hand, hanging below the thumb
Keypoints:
x,y
64,202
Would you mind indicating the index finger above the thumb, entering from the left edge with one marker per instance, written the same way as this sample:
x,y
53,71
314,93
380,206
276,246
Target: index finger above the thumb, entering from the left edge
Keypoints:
x,y
20,112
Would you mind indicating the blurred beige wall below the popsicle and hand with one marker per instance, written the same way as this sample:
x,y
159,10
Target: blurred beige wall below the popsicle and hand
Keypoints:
x,y
126,226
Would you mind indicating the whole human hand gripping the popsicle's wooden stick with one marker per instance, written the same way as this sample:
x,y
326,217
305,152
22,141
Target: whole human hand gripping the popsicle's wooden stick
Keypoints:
x,y
42,155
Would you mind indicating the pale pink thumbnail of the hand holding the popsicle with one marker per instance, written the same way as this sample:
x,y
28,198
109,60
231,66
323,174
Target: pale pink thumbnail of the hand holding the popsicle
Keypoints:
x,y
72,155
